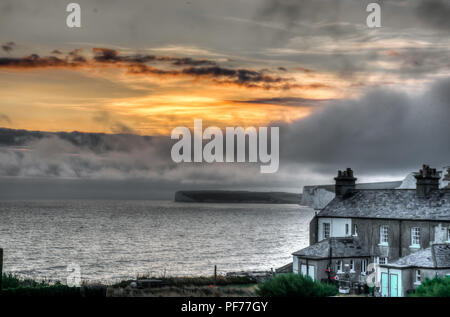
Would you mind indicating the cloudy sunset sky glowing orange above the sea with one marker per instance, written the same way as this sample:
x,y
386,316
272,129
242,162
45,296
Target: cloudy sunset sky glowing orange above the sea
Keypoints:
x,y
343,95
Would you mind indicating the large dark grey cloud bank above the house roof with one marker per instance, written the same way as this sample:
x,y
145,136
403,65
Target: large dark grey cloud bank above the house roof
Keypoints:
x,y
382,131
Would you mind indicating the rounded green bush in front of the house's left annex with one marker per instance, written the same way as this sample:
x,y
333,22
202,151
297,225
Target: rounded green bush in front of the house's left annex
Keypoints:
x,y
289,285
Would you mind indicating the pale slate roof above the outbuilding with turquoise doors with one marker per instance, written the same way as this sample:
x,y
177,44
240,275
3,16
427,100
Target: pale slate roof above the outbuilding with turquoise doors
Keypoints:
x,y
436,256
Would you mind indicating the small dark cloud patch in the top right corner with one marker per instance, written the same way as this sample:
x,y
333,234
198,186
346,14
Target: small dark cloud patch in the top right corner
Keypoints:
x,y
435,13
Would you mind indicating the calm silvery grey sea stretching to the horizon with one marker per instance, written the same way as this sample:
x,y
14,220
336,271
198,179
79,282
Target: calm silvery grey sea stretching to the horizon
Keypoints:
x,y
113,240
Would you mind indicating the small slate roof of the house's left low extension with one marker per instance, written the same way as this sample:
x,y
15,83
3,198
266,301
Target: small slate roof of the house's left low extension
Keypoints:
x,y
340,248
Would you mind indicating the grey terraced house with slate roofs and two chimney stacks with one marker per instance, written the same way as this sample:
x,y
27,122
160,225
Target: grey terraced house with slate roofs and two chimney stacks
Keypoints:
x,y
363,227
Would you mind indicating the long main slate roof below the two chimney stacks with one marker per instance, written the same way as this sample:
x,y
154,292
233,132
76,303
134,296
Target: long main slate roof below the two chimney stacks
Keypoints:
x,y
390,203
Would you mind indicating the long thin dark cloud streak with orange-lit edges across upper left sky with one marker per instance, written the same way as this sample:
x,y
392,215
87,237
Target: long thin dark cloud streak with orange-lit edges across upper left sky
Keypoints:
x,y
138,65
